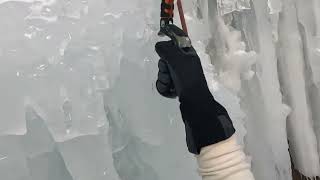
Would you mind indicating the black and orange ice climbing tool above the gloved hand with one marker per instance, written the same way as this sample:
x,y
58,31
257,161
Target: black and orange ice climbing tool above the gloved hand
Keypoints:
x,y
167,27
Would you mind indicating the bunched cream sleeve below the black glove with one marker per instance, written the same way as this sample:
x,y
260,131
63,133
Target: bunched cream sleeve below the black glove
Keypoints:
x,y
224,161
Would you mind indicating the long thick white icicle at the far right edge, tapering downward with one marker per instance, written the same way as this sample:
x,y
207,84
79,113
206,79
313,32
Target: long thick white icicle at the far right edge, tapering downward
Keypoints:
x,y
300,131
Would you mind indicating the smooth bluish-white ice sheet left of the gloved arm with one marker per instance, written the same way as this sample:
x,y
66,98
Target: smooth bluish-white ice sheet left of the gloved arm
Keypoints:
x,y
85,70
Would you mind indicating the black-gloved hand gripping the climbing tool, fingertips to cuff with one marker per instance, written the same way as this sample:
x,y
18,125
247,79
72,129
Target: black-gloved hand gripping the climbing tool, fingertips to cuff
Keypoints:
x,y
180,74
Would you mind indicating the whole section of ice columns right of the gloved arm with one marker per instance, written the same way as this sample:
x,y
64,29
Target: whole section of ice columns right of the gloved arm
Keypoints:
x,y
281,34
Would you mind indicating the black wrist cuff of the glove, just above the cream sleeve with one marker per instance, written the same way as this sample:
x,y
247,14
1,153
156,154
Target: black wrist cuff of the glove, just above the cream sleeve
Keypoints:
x,y
206,123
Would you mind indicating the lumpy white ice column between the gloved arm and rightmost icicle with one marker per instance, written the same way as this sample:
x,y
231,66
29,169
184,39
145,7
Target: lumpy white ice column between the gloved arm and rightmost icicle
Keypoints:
x,y
257,86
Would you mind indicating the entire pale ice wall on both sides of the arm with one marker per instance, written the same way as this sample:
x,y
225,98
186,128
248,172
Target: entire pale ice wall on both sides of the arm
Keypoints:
x,y
78,99
